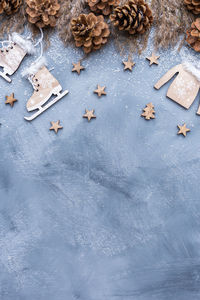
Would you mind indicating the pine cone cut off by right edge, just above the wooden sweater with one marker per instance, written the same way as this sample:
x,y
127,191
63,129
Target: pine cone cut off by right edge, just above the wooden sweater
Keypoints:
x,y
193,35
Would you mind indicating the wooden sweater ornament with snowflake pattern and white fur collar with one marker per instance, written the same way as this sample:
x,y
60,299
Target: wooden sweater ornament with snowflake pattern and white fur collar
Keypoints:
x,y
185,87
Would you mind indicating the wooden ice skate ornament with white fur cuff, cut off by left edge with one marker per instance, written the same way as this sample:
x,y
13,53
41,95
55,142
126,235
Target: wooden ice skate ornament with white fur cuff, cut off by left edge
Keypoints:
x,y
12,52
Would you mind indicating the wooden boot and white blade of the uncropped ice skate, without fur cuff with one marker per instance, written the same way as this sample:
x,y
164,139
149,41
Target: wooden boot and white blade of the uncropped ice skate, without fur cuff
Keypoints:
x,y
45,86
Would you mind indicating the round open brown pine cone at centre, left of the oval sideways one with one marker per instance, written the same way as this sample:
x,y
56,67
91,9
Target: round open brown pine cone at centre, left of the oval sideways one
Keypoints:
x,y
89,31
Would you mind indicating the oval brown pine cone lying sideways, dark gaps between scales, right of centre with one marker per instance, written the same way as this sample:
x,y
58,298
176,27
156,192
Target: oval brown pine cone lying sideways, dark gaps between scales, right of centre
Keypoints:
x,y
135,17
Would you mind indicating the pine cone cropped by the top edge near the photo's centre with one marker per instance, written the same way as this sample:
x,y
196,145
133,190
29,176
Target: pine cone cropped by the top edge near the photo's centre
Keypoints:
x,y
102,6
